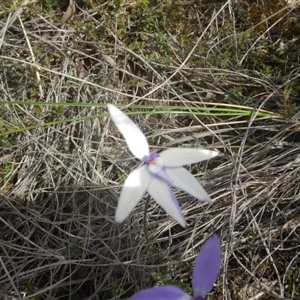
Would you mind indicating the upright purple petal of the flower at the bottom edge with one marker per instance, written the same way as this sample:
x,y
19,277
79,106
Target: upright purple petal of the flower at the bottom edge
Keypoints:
x,y
207,267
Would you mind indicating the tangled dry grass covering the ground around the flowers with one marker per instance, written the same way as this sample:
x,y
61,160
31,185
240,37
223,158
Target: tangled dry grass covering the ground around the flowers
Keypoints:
x,y
62,166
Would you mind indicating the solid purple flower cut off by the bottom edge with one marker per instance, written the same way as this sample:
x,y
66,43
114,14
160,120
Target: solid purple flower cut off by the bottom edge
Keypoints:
x,y
204,276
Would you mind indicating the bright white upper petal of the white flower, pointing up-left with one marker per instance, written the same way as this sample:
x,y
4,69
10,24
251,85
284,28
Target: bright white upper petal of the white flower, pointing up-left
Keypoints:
x,y
135,139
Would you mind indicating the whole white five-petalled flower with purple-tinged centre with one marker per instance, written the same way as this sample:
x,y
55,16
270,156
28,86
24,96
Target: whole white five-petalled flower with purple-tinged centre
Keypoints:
x,y
159,171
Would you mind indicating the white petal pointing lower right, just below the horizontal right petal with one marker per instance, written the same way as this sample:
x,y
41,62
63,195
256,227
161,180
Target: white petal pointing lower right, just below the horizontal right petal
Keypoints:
x,y
185,181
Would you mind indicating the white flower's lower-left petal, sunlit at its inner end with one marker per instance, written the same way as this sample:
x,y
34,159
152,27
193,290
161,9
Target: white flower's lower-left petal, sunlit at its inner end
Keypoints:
x,y
133,189
